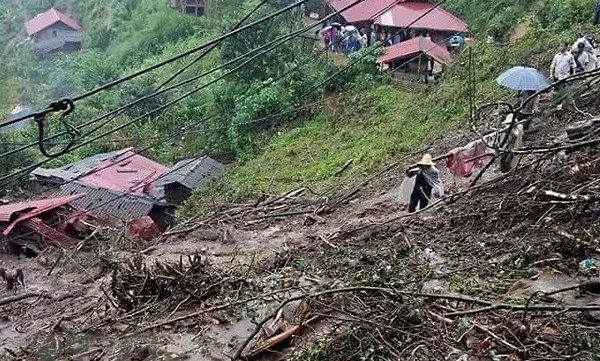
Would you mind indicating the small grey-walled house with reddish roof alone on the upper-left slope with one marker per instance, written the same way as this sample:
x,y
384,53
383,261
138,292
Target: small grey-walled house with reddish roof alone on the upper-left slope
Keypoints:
x,y
53,31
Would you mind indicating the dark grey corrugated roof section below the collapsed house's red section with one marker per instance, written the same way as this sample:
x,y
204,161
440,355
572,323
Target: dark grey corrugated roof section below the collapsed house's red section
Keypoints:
x,y
105,201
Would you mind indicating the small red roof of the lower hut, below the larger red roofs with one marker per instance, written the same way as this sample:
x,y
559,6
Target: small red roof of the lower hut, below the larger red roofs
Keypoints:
x,y
415,46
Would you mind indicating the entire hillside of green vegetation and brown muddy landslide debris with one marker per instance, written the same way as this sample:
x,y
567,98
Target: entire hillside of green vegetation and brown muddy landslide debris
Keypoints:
x,y
301,250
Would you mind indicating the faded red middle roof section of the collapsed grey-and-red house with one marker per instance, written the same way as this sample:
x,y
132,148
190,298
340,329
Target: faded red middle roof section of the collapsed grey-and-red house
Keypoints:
x,y
128,172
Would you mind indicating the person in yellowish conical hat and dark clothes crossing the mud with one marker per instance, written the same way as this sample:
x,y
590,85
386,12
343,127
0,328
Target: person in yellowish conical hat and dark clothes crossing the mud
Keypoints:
x,y
427,187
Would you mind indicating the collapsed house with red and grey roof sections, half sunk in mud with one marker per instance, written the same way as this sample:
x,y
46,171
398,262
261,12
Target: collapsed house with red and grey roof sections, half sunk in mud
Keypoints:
x,y
126,186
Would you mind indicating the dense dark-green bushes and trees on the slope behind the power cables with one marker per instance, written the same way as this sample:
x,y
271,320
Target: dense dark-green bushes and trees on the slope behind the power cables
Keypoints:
x,y
124,36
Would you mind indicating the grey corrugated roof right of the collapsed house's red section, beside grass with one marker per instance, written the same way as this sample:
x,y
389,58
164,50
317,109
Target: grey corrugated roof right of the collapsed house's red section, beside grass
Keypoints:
x,y
192,173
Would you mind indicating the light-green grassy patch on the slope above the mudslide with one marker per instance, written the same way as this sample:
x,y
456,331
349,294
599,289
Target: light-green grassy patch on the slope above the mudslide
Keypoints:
x,y
378,126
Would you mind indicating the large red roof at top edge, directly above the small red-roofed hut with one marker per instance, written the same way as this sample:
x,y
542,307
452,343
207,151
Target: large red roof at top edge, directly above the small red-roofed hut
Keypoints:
x,y
403,14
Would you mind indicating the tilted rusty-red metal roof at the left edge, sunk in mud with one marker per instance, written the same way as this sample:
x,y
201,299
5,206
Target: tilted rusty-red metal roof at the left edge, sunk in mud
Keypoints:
x,y
19,212
